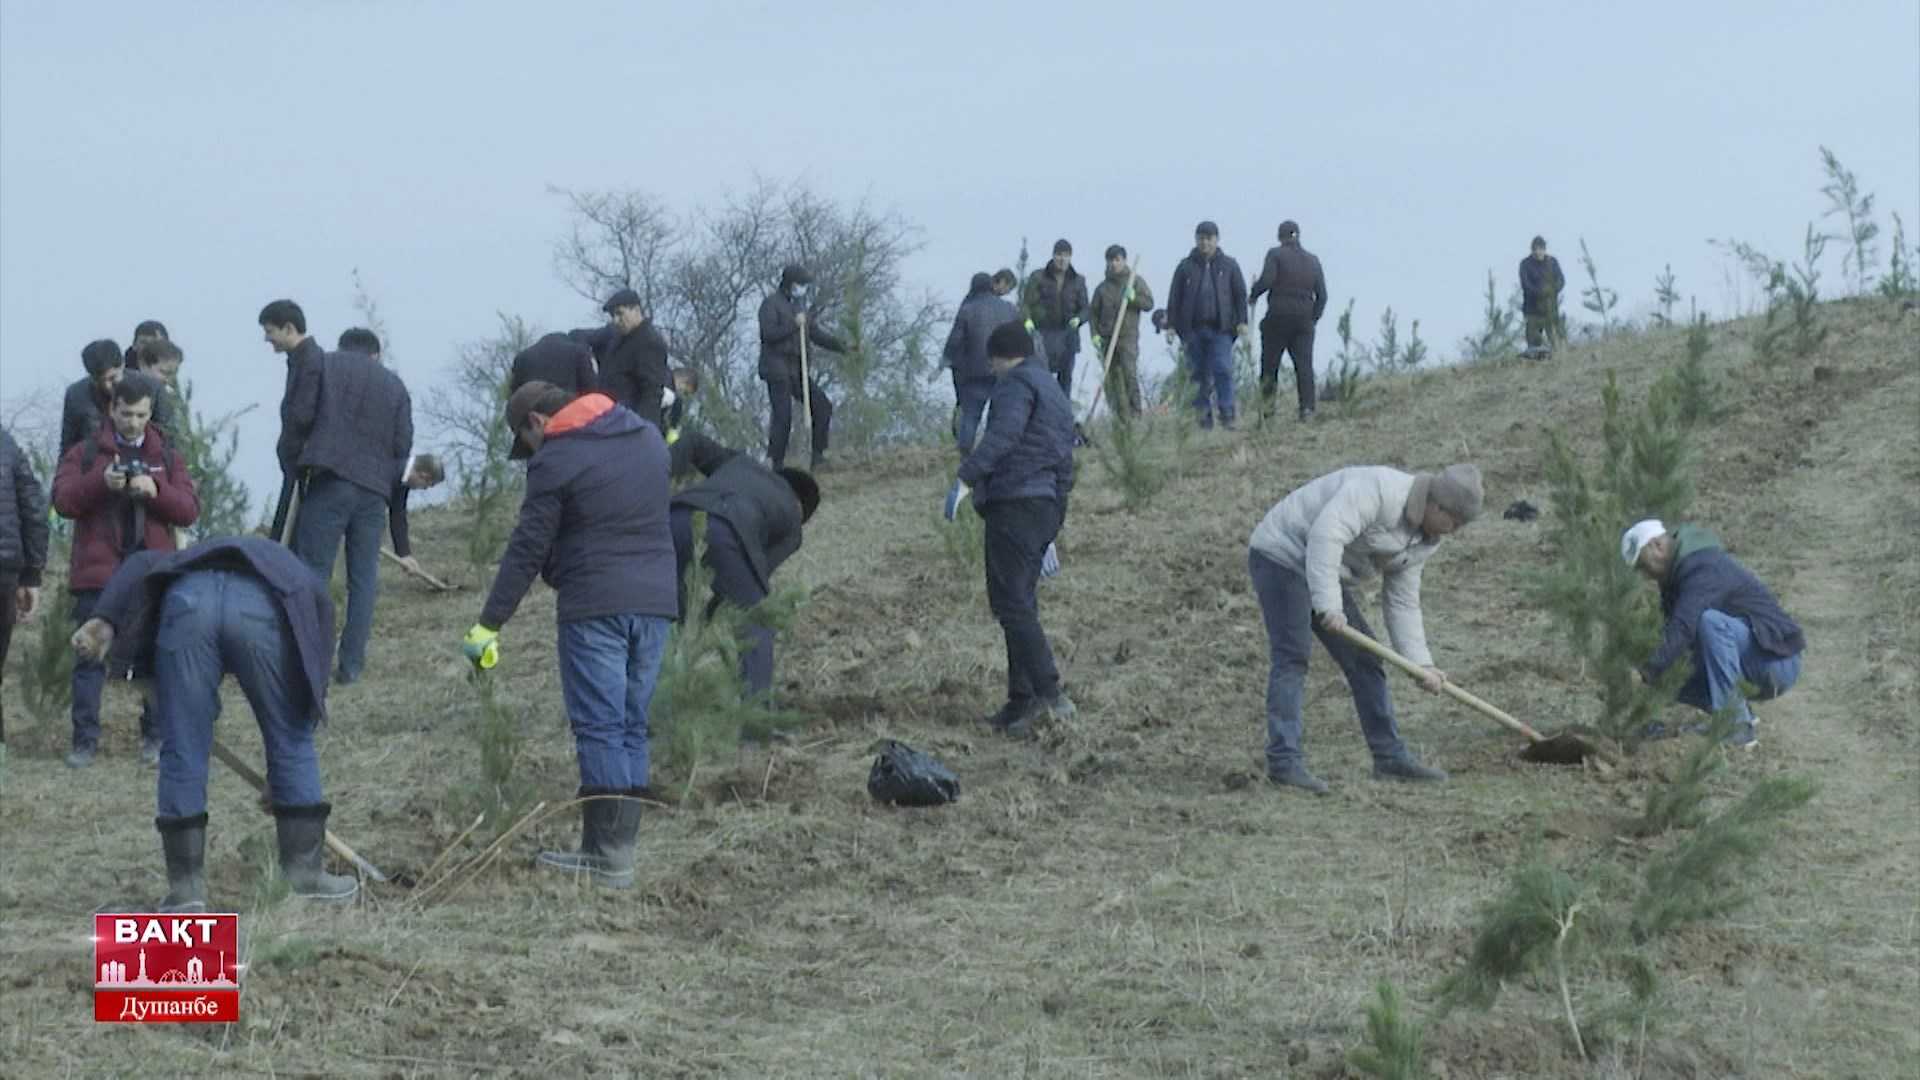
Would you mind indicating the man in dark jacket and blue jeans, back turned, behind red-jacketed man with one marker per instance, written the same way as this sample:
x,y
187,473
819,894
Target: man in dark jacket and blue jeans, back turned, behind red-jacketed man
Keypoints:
x,y
350,447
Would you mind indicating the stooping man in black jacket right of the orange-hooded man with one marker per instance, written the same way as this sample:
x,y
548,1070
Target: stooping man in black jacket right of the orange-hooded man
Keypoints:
x,y
754,526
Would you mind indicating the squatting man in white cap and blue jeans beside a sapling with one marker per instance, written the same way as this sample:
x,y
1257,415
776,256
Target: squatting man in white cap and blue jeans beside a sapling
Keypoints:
x,y
1721,616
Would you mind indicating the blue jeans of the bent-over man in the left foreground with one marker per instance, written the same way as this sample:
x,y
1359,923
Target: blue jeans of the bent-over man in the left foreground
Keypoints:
x,y
216,624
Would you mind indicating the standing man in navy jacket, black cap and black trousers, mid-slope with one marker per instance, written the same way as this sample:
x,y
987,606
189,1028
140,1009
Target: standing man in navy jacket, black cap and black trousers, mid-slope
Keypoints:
x,y
1020,476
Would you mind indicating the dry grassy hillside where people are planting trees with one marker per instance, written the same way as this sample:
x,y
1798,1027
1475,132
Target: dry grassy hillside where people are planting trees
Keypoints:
x,y
1122,898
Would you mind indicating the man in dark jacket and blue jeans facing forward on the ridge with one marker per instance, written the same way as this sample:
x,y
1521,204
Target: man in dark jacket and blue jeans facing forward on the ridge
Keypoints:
x,y
1207,308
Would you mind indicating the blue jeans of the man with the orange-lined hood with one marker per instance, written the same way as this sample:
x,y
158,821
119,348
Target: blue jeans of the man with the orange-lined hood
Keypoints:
x,y
608,674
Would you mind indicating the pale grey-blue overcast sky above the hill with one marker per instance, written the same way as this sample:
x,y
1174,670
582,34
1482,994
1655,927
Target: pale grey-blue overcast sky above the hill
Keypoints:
x,y
191,162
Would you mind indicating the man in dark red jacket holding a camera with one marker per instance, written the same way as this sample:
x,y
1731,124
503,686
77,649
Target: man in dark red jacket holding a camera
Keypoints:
x,y
126,491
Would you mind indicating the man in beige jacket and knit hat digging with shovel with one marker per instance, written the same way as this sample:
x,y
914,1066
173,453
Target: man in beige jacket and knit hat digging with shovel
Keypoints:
x,y
1341,529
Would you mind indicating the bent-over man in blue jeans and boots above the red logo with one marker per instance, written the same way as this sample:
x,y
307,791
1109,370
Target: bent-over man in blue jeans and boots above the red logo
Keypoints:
x,y
239,606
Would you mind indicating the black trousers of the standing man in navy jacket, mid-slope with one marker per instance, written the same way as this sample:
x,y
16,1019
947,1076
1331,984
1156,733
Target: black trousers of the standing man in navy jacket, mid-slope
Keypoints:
x,y
1019,533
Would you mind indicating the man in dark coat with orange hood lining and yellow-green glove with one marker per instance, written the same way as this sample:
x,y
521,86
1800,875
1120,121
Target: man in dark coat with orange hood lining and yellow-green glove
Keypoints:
x,y
594,528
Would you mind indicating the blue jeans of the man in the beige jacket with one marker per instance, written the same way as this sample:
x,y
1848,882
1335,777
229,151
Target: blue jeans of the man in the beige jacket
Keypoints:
x,y
1287,608
